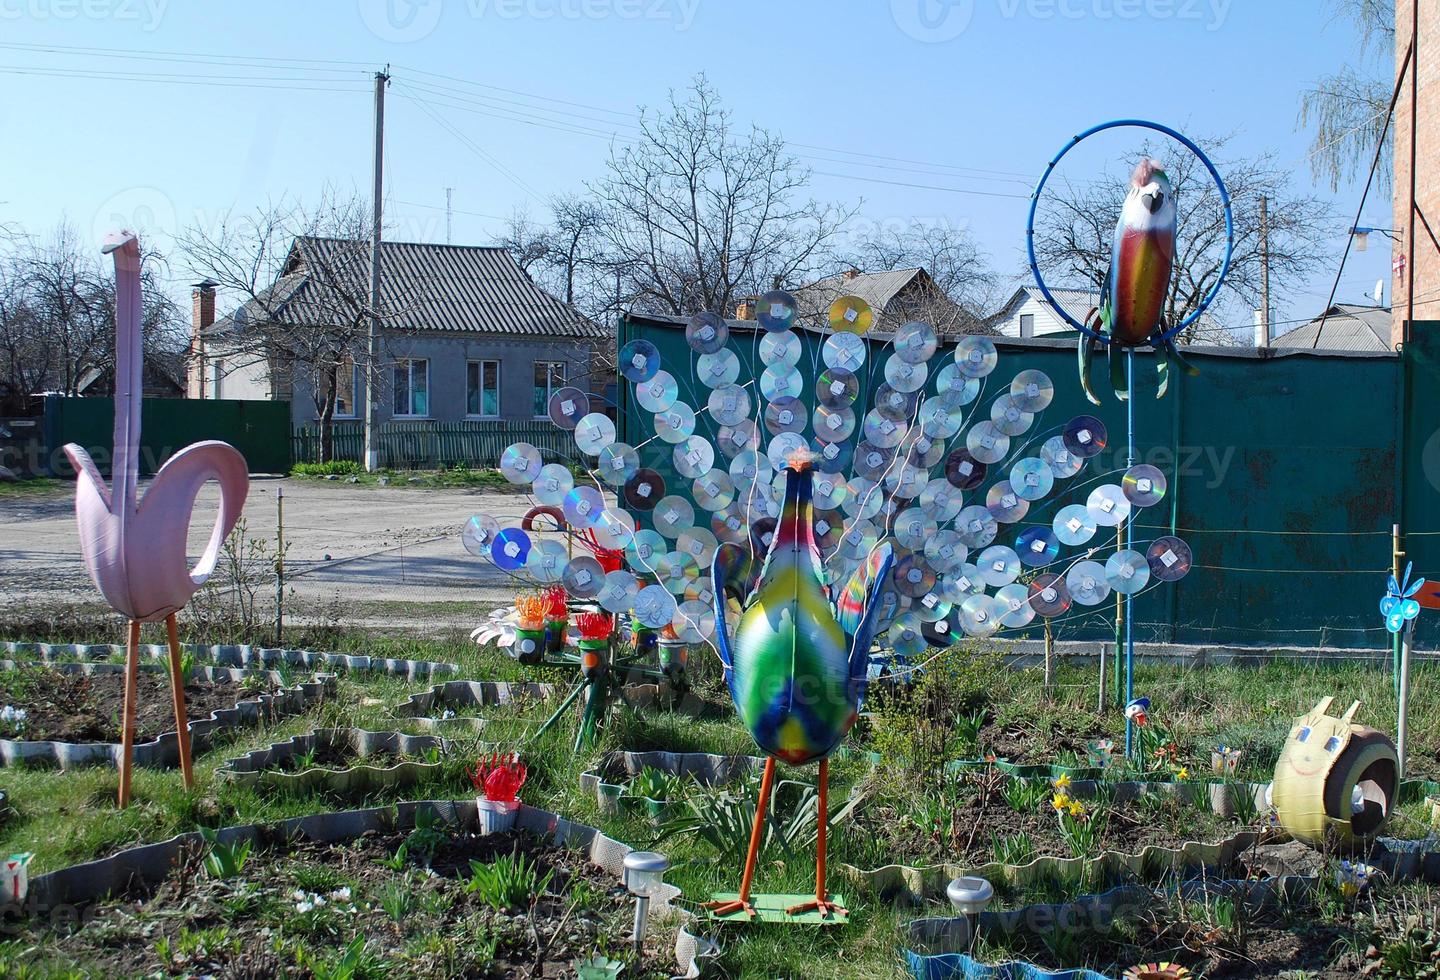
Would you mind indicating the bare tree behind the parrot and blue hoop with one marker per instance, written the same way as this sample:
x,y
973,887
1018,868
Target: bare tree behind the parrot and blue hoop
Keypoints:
x,y
1076,228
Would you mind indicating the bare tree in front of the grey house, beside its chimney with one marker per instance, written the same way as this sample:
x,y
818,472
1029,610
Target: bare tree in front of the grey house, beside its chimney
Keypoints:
x,y
303,283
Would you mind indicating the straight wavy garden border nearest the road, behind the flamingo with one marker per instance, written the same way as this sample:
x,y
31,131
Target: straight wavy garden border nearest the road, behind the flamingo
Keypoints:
x,y
240,655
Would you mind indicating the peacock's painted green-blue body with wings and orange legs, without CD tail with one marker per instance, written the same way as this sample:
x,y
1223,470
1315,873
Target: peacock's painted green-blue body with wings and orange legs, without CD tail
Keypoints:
x,y
797,663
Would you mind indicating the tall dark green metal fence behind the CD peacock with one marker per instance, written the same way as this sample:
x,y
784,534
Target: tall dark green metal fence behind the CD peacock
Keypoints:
x,y
1282,471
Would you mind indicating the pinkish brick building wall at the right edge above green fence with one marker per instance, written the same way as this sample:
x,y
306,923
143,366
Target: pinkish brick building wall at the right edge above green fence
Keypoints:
x,y
1426,271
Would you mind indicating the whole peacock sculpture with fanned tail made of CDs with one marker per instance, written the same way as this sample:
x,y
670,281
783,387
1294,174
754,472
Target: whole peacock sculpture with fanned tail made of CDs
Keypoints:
x,y
868,497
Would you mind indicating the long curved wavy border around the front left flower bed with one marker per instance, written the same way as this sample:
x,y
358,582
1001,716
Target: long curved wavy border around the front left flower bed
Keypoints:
x,y
148,866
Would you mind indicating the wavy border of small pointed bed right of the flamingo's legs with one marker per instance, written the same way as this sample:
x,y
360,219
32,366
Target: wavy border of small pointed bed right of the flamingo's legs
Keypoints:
x,y
258,769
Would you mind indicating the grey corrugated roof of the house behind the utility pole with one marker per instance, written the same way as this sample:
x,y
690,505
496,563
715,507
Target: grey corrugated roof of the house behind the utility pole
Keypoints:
x,y
459,289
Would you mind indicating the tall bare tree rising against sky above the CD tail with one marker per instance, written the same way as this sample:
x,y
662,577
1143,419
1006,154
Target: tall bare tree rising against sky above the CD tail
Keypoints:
x,y
696,215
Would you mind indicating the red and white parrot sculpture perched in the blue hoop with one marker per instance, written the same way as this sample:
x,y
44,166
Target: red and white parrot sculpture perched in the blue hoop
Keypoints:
x,y
1137,286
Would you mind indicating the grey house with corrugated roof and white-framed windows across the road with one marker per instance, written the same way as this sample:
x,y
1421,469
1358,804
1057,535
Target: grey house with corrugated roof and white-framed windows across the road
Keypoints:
x,y
466,336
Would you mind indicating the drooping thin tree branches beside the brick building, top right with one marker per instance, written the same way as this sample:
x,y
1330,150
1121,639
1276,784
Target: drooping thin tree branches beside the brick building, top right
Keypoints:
x,y
1349,110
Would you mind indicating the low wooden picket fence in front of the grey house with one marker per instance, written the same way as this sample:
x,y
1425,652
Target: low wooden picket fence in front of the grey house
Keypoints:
x,y
437,445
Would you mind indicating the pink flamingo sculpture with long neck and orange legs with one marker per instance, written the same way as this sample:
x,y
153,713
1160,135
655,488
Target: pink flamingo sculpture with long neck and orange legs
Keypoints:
x,y
136,550
